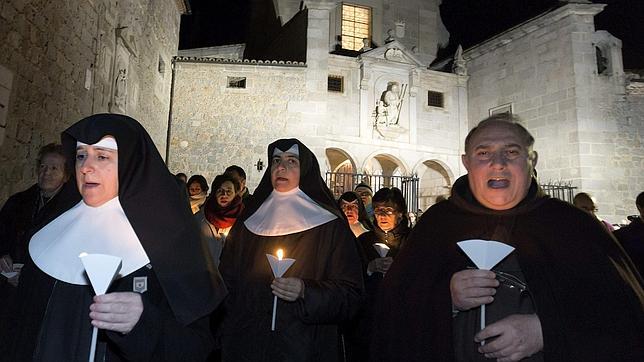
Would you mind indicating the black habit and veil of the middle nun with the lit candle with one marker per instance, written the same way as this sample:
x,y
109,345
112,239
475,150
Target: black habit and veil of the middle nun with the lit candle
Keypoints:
x,y
326,260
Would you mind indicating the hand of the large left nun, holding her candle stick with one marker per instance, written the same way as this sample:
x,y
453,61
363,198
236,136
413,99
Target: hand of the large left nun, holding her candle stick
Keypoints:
x,y
117,312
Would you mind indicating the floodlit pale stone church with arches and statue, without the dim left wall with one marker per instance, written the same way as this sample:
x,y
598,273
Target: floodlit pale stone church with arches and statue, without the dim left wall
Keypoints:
x,y
369,98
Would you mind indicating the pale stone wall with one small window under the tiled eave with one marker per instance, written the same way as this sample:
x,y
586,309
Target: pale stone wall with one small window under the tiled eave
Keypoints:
x,y
214,126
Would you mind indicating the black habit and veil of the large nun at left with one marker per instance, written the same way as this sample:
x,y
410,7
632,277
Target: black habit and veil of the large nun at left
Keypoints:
x,y
179,288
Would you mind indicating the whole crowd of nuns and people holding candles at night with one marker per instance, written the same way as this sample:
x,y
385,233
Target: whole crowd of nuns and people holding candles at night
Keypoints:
x,y
203,273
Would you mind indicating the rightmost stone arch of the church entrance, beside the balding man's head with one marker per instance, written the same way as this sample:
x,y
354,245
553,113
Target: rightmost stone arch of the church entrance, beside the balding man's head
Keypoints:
x,y
435,181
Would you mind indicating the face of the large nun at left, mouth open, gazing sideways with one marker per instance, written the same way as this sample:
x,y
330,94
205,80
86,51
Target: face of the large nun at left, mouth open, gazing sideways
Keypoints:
x,y
97,174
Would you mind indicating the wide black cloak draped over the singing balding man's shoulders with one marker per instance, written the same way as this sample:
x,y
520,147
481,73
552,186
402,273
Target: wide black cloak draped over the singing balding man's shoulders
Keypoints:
x,y
587,297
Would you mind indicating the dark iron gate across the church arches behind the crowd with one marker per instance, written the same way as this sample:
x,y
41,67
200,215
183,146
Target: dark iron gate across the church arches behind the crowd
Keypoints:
x,y
339,183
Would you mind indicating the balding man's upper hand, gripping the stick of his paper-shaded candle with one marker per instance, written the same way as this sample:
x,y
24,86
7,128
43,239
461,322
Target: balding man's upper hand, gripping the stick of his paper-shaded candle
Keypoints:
x,y
471,288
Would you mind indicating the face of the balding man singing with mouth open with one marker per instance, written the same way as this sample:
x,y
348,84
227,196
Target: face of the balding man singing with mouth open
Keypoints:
x,y
499,166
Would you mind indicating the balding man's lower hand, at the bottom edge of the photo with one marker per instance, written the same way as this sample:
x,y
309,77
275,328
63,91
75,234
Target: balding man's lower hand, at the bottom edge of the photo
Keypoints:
x,y
517,336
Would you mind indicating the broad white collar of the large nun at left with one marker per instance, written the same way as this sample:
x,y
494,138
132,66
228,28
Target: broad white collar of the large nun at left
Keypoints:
x,y
104,230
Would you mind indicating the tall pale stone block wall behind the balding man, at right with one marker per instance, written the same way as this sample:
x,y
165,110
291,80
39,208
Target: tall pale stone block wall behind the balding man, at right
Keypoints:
x,y
546,70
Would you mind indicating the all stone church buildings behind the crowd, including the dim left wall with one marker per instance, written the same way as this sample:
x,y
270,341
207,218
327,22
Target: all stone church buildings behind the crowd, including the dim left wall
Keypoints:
x,y
356,81
